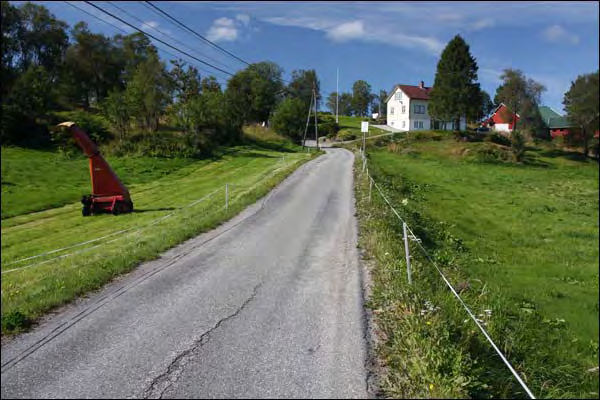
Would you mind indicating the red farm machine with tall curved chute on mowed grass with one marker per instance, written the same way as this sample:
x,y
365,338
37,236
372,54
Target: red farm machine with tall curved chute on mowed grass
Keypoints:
x,y
108,193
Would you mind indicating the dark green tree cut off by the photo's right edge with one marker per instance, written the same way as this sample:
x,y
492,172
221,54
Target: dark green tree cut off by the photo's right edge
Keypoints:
x,y
582,106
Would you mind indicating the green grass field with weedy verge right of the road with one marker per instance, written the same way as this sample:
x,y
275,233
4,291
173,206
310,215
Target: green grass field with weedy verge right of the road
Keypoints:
x,y
519,240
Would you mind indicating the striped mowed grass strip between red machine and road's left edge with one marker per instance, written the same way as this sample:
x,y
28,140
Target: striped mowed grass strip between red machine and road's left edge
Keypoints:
x,y
168,211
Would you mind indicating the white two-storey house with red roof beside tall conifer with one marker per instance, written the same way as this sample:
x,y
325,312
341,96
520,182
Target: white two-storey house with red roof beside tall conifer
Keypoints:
x,y
408,110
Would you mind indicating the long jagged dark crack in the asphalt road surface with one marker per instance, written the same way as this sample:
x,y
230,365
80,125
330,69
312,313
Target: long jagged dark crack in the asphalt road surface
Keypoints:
x,y
164,381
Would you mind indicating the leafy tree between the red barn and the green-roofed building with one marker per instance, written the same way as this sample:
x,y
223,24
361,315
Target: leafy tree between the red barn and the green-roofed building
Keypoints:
x,y
521,96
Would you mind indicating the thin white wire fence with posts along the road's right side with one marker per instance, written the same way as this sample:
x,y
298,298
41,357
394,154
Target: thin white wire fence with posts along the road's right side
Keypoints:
x,y
409,236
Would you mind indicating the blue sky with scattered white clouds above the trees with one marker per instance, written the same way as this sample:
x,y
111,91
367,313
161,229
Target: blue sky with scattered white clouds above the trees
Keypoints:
x,y
384,43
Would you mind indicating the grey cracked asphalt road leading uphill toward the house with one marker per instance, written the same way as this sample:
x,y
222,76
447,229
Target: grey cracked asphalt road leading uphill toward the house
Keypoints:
x,y
268,305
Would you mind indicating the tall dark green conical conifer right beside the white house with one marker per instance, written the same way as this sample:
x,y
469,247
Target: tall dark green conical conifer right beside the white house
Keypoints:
x,y
455,93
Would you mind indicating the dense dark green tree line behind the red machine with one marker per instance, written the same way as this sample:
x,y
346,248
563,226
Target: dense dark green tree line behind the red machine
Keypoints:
x,y
125,93
